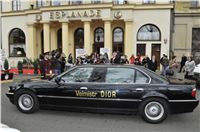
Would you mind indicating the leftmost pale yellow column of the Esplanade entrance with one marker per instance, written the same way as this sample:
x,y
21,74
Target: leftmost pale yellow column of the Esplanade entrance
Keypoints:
x,y
31,51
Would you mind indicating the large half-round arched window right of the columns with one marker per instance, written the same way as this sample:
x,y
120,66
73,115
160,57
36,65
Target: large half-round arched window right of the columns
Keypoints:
x,y
149,32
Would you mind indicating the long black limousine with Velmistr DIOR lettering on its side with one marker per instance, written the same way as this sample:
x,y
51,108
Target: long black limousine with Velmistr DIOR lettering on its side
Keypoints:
x,y
108,88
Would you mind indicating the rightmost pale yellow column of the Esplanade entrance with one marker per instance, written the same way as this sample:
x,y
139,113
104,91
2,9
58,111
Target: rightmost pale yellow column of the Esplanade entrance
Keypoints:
x,y
128,43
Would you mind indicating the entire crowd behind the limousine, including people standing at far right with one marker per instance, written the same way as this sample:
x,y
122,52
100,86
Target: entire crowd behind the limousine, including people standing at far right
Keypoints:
x,y
56,62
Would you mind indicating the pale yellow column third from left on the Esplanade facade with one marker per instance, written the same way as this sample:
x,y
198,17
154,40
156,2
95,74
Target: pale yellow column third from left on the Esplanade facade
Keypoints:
x,y
65,38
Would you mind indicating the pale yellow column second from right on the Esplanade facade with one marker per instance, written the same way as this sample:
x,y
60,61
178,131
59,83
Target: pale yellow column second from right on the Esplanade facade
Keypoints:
x,y
108,36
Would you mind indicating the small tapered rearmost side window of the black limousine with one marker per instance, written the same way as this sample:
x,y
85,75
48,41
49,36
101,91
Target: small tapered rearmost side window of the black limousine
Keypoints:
x,y
141,78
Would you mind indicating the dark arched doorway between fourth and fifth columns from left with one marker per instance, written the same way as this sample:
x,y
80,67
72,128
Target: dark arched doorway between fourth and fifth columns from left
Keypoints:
x,y
98,40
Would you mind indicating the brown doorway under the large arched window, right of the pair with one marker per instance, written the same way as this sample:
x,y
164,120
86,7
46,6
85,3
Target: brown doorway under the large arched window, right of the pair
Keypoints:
x,y
155,50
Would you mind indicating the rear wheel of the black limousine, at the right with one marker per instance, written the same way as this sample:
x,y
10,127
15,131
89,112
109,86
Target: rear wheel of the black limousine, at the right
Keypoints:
x,y
154,110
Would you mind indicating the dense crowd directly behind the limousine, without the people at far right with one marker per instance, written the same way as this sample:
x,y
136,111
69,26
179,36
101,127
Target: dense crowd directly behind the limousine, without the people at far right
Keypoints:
x,y
55,61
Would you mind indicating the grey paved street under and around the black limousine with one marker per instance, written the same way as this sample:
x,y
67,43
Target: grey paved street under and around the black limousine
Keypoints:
x,y
62,121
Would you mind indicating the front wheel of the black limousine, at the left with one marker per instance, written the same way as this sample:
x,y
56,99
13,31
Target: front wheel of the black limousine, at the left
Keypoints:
x,y
26,101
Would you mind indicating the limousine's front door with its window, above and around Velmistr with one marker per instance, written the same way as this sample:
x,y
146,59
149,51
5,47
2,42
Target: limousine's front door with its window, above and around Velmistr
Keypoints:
x,y
72,89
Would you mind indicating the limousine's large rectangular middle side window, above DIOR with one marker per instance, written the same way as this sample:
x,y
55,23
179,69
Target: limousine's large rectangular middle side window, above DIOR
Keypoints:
x,y
120,75
